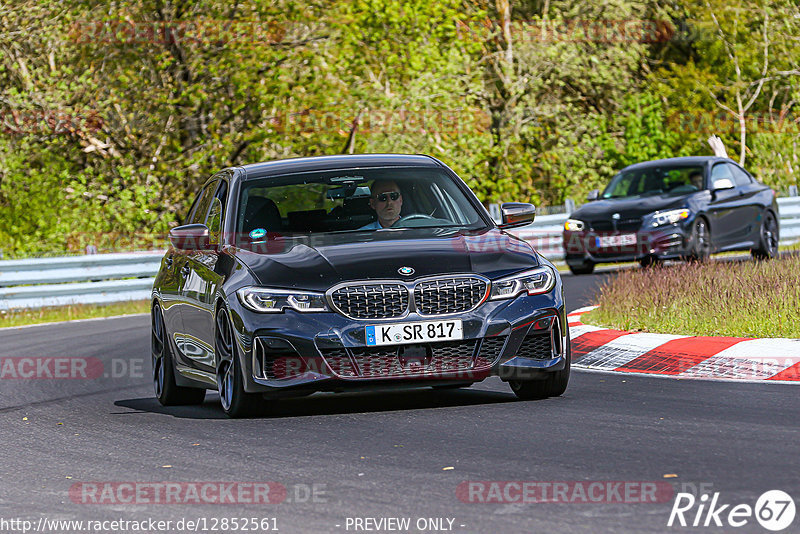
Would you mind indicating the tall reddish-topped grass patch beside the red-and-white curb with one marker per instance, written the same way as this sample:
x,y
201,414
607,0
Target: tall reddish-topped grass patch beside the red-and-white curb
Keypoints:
x,y
718,298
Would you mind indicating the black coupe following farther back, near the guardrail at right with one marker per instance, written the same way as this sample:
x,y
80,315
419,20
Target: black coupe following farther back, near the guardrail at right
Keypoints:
x,y
678,208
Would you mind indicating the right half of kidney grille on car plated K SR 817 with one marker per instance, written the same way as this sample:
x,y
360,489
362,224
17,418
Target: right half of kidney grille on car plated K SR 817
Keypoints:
x,y
452,295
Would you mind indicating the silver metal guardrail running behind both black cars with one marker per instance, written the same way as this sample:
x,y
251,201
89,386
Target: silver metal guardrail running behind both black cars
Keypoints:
x,y
105,278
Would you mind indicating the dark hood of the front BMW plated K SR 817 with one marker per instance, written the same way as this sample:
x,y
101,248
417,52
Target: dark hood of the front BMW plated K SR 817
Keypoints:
x,y
321,261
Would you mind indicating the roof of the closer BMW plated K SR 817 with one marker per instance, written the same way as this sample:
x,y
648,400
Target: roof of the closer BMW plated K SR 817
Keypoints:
x,y
284,166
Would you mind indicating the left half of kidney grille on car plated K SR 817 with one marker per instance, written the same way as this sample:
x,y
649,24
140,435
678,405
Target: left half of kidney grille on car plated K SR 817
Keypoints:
x,y
371,301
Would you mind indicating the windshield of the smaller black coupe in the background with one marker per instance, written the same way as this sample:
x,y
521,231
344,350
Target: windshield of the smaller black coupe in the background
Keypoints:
x,y
657,180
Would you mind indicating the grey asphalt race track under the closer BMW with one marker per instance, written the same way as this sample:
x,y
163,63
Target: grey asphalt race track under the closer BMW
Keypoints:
x,y
382,455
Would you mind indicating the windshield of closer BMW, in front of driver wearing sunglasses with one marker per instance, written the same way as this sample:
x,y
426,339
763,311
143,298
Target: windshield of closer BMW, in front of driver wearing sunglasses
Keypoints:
x,y
339,201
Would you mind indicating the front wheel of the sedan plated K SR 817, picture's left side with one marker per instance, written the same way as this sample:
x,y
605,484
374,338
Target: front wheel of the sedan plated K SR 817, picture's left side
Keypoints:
x,y
236,402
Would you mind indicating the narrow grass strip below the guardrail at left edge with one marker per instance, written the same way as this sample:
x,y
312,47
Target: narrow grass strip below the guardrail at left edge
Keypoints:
x,y
68,313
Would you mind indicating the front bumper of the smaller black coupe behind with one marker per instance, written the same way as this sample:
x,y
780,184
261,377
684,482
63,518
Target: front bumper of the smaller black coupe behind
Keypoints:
x,y
667,242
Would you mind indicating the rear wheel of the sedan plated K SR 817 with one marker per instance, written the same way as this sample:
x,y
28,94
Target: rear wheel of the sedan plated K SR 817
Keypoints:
x,y
167,391
